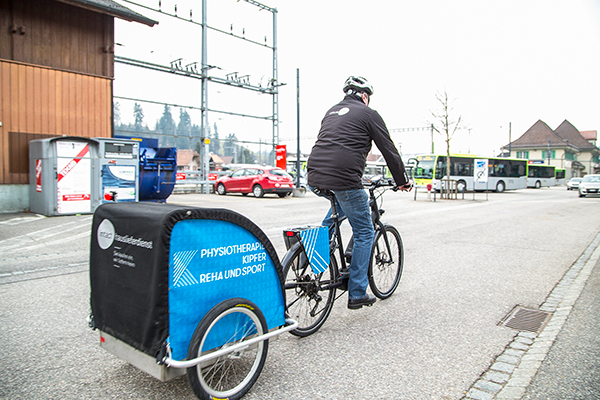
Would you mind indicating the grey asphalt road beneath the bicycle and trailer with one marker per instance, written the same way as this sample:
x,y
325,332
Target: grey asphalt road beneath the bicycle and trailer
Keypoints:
x,y
468,263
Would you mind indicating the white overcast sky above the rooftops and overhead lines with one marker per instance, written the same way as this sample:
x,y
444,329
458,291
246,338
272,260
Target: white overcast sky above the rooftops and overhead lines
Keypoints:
x,y
501,62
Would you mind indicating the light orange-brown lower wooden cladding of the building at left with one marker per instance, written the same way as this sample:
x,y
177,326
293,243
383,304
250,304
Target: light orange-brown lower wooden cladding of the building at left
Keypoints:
x,y
39,102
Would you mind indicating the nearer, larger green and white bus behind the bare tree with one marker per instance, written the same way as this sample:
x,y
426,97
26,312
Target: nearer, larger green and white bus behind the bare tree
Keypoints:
x,y
503,173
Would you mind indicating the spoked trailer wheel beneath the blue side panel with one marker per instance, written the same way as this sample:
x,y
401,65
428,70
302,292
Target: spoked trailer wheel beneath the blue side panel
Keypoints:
x,y
229,376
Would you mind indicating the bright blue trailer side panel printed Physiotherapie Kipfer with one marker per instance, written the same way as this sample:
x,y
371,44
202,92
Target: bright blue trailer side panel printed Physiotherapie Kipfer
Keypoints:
x,y
213,260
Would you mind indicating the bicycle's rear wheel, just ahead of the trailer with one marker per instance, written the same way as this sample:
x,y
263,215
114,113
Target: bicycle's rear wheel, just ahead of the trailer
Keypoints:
x,y
309,296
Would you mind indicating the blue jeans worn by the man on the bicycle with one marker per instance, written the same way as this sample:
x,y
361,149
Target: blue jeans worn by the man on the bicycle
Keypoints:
x,y
354,204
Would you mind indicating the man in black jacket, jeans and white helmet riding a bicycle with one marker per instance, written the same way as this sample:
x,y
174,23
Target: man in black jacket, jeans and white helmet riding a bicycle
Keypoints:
x,y
337,162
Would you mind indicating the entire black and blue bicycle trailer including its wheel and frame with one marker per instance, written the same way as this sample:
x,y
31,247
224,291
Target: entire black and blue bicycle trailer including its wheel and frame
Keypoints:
x,y
176,288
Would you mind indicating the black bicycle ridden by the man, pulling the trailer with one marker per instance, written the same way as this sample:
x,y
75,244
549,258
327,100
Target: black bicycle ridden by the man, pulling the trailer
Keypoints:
x,y
310,296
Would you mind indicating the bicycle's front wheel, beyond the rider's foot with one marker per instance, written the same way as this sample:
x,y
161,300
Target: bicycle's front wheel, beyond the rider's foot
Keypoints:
x,y
387,259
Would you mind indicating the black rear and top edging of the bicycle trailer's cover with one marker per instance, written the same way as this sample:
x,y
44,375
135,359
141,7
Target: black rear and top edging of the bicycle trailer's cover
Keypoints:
x,y
129,267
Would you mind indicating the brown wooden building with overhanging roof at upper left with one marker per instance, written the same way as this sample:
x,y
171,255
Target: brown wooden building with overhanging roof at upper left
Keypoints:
x,y
56,73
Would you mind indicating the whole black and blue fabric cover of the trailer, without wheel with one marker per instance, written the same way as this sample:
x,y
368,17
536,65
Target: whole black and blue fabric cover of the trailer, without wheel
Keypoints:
x,y
156,269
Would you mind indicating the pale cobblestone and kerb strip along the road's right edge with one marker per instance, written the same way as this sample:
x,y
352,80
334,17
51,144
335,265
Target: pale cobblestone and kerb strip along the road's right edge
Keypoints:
x,y
512,371
